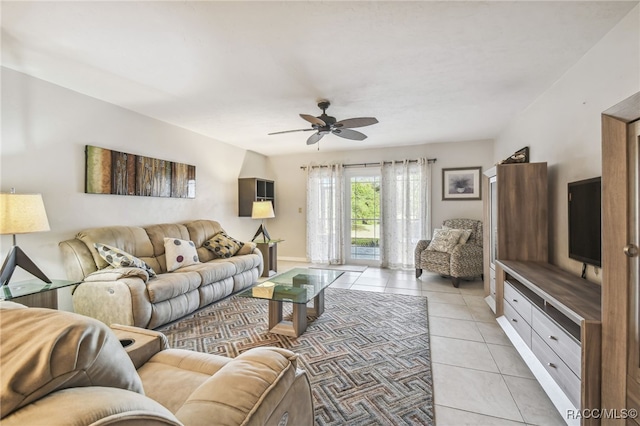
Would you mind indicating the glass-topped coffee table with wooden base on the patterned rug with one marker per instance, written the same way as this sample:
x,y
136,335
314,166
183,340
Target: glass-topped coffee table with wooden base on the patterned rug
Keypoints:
x,y
298,286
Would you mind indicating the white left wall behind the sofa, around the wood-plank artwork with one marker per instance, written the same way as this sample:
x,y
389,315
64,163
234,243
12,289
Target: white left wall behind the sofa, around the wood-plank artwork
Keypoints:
x,y
44,131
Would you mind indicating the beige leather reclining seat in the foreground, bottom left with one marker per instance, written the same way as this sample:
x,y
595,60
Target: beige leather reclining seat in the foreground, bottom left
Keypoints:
x,y
61,368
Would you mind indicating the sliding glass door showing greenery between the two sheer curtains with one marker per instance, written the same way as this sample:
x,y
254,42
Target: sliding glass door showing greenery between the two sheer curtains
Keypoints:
x,y
362,216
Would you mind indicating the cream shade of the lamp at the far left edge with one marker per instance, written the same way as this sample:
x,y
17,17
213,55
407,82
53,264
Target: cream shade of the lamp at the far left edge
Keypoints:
x,y
22,213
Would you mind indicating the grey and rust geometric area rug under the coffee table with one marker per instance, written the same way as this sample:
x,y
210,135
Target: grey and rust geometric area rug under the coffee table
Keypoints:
x,y
367,356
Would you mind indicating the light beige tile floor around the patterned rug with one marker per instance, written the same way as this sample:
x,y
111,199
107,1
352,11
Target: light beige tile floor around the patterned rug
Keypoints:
x,y
479,378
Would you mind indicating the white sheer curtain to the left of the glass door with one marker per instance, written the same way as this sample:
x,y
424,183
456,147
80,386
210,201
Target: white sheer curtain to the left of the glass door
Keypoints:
x,y
325,214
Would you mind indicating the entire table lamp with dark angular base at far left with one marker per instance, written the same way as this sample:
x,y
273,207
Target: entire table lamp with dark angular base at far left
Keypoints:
x,y
21,214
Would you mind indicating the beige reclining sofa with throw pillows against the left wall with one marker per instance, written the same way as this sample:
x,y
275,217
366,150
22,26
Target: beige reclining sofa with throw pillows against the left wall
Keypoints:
x,y
129,296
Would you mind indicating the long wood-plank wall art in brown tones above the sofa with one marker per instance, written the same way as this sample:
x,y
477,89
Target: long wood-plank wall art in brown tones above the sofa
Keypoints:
x,y
119,173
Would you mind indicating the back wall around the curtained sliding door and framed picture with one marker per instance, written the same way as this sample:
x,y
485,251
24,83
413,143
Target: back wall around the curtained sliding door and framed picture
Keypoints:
x,y
290,221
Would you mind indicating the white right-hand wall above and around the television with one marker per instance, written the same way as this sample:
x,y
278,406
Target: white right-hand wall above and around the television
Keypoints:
x,y
563,126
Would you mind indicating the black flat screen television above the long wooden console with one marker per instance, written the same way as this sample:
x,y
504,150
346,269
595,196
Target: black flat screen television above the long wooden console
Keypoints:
x,y
585,221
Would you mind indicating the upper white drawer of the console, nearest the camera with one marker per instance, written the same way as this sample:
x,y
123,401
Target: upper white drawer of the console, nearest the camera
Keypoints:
x,y
557,339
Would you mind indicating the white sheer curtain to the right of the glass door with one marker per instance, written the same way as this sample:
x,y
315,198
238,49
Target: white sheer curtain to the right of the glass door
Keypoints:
x,y
406,210
